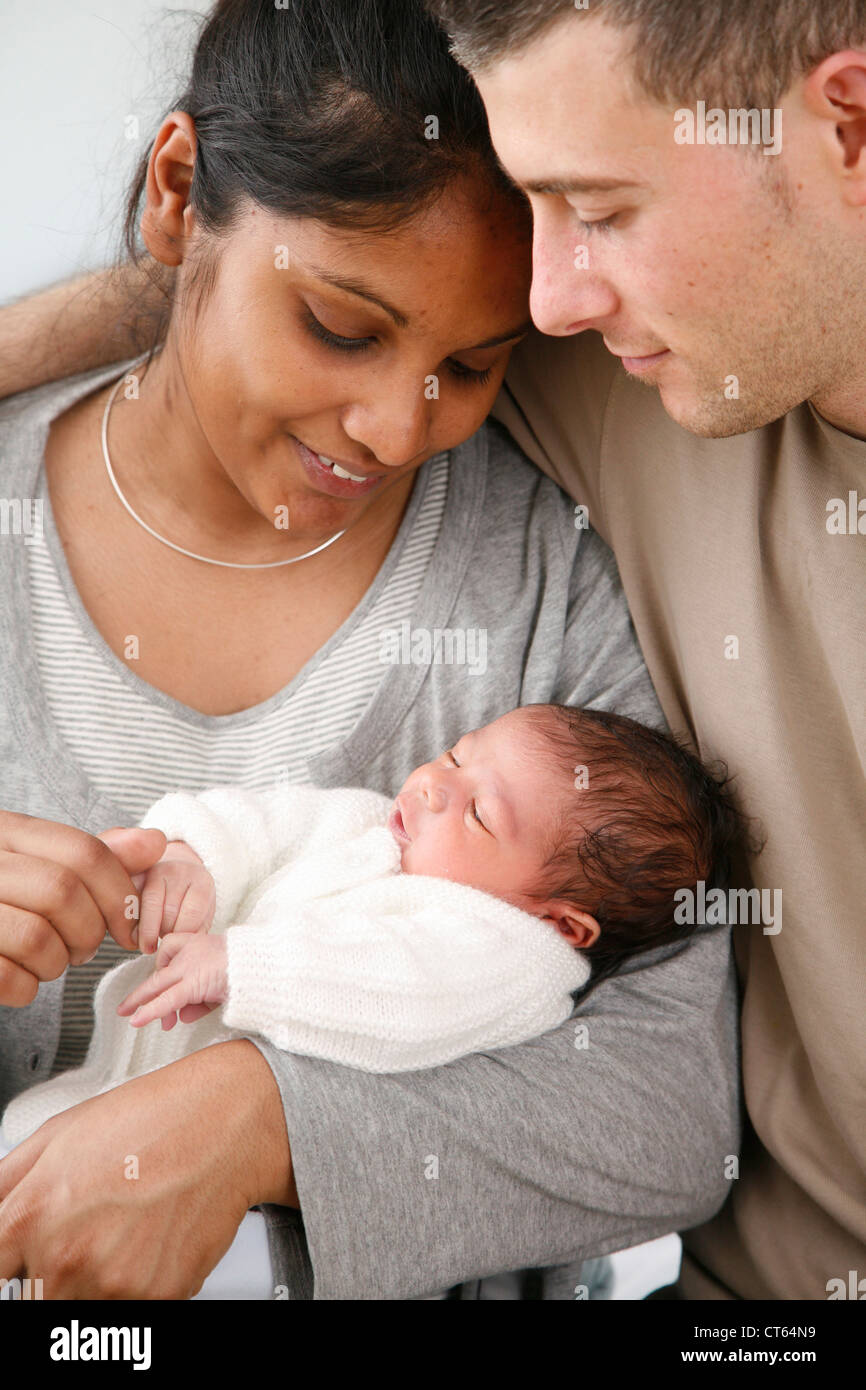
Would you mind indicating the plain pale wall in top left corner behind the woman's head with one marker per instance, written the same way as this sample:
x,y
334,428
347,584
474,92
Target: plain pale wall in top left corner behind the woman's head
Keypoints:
x,y
70,74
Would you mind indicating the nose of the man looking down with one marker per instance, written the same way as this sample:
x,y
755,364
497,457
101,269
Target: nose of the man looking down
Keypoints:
x,y
569,294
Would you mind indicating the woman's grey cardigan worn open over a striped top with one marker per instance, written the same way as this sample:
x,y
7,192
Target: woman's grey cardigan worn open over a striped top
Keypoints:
x,y
607,1132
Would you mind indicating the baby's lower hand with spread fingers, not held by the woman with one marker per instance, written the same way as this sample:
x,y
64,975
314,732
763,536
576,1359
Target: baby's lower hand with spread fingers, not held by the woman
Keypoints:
x,y
191,981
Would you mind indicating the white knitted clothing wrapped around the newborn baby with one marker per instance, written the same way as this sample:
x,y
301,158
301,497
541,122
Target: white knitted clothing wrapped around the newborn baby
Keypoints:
x,y
333,950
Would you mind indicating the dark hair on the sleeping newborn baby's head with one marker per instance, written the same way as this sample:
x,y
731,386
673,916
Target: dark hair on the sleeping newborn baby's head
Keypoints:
x,y
650,819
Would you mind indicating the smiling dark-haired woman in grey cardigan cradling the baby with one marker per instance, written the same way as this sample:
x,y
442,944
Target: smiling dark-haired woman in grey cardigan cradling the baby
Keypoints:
x,y
213,605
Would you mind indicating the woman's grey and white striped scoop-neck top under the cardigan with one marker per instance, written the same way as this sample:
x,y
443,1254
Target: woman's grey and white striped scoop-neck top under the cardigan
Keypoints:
x,y
136,744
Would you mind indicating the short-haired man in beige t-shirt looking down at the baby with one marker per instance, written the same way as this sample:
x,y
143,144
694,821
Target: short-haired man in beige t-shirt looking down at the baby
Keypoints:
x,y
697,173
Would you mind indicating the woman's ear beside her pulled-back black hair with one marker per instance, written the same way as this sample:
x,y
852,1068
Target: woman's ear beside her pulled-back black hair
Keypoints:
x,y
168,219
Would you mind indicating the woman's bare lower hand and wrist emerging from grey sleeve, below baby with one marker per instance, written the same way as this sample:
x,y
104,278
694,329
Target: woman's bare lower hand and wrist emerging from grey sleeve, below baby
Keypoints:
x,y
138,1193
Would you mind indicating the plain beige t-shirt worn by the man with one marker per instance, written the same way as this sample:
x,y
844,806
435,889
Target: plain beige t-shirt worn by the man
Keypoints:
x,y
751,612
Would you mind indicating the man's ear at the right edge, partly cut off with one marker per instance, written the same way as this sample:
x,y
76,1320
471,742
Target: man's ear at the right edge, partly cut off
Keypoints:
x,y
836,91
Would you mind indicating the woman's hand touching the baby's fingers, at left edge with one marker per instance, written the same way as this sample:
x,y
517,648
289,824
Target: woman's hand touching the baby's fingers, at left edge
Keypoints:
x,y
60,892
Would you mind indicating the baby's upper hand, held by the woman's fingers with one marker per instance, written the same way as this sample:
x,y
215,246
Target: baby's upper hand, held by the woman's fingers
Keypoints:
x,y
177,894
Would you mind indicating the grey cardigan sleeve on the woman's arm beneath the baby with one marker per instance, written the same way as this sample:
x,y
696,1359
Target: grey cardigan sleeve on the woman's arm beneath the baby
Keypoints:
x,y
608,1132
